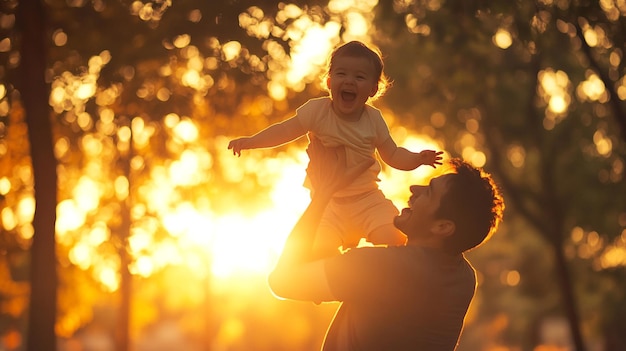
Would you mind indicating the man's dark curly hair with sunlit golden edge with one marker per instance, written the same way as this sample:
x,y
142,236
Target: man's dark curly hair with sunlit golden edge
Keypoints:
x,y
474,203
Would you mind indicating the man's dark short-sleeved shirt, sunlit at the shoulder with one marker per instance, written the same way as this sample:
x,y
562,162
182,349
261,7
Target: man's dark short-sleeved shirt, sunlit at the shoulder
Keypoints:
x,y
398,298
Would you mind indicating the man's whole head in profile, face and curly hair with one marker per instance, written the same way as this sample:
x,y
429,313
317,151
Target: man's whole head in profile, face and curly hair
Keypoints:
x,y
456,212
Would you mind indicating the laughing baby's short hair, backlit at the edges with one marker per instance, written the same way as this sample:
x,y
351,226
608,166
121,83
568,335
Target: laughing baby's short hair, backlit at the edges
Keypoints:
x,y
359,49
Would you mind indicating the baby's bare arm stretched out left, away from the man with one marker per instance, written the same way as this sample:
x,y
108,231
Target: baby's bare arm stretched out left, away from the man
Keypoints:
x,y
272,136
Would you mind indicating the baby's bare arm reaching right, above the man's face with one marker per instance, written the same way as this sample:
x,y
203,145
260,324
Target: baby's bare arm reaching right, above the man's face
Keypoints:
x,y
405,160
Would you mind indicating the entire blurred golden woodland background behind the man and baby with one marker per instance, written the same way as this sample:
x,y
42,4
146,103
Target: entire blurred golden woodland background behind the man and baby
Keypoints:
x,y
146,234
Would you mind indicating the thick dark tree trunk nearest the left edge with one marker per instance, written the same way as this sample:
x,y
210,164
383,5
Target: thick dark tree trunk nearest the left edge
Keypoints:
x,y
35,92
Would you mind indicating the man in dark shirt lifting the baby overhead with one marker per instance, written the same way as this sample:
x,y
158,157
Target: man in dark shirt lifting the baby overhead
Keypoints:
x,y
411,297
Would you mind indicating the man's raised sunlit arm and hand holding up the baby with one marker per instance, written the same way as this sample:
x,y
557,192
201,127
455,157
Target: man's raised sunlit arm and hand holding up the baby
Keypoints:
x,y
298,275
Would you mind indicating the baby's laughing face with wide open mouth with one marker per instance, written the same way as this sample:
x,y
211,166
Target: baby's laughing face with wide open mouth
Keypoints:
x,y
352,81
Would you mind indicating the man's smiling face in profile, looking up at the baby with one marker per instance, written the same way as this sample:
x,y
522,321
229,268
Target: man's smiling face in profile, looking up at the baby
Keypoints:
x,y
417,220
